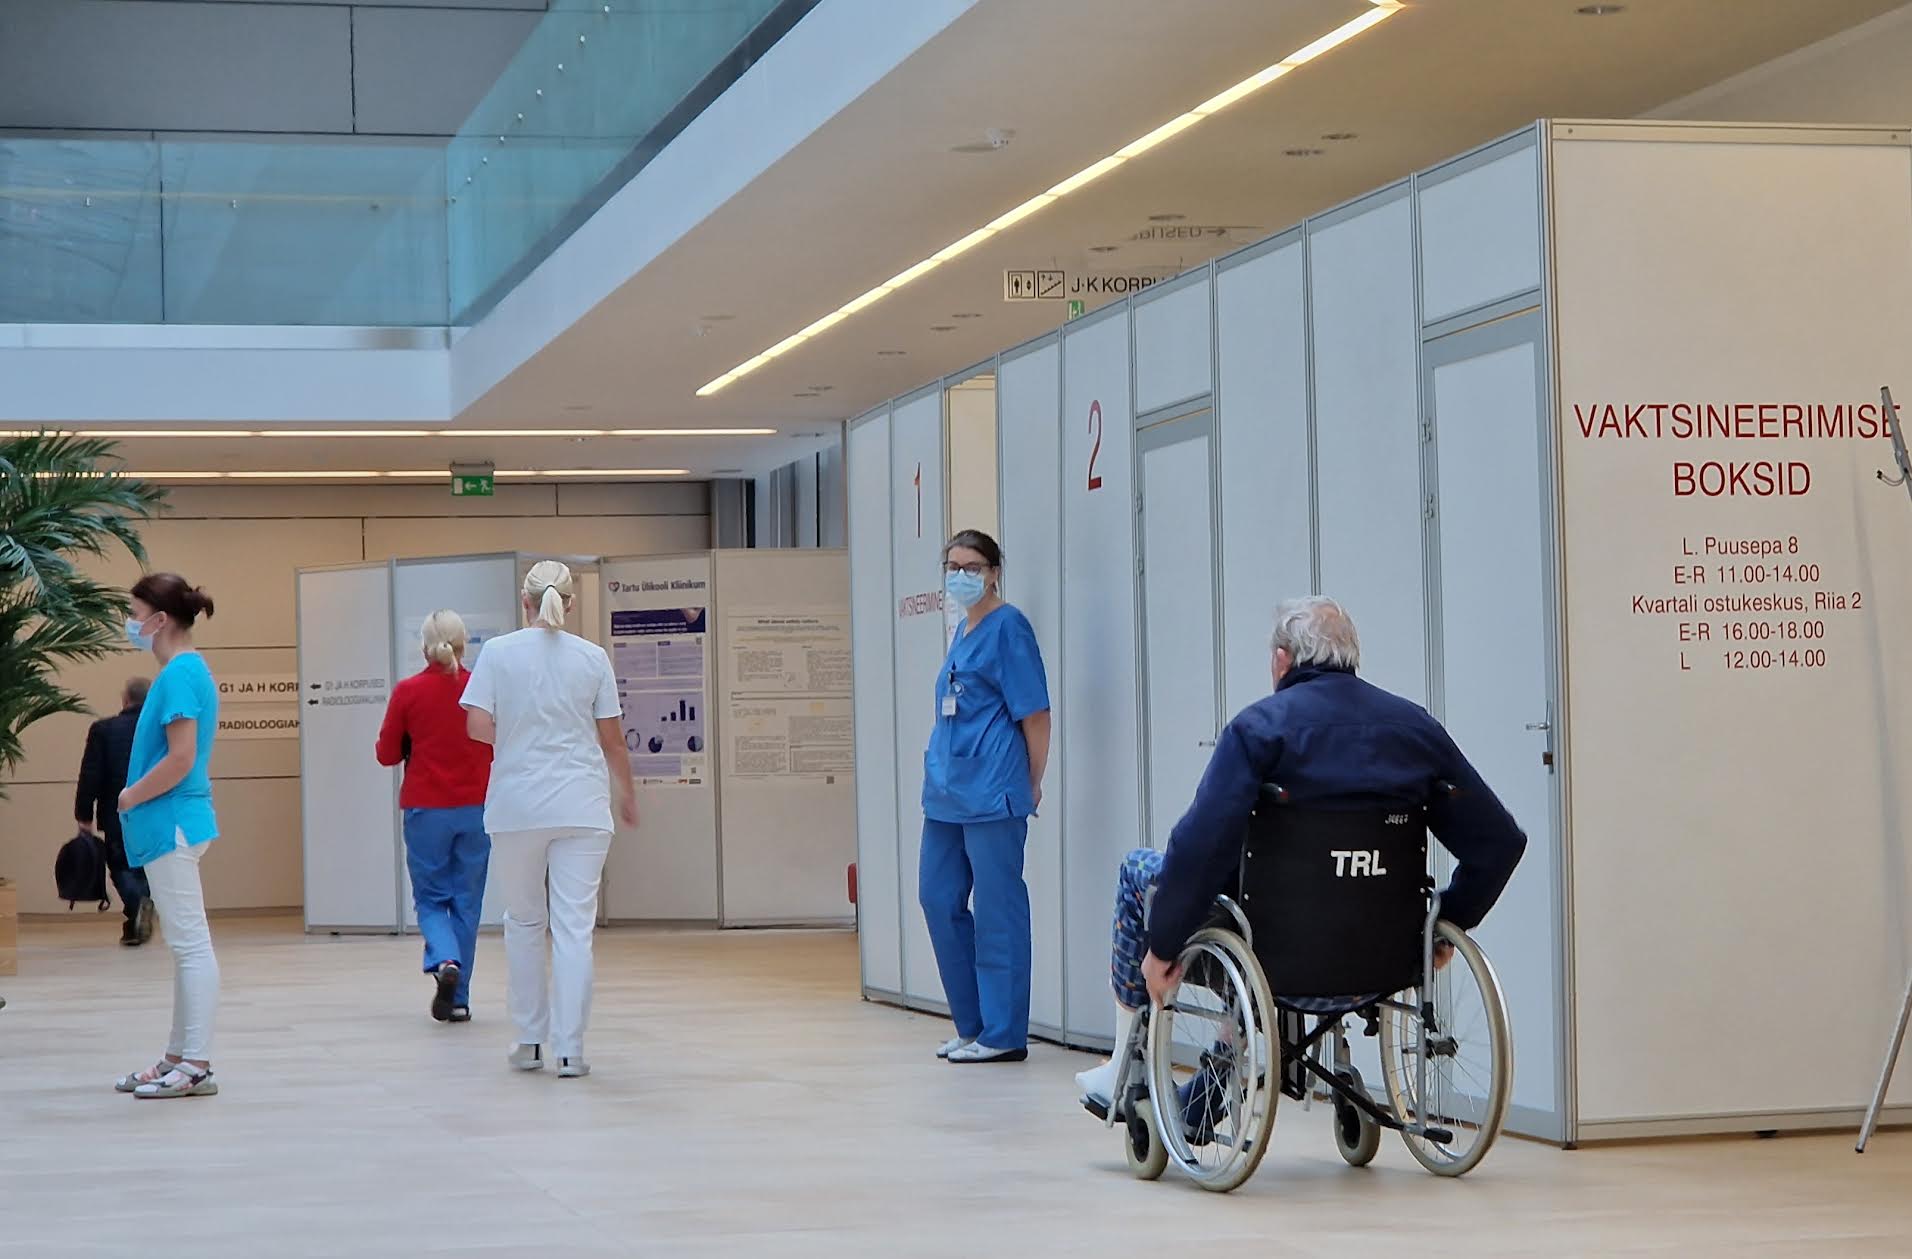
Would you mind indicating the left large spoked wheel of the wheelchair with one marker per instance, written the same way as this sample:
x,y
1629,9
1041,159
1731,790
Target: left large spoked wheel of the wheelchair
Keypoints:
x,y
1215,1061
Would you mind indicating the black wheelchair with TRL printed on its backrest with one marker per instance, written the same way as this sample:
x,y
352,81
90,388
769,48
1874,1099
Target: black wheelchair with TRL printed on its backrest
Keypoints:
x,y
1334,912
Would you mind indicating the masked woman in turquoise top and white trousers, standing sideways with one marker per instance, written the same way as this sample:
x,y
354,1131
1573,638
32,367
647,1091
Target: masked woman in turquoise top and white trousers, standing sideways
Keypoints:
x,y
167,820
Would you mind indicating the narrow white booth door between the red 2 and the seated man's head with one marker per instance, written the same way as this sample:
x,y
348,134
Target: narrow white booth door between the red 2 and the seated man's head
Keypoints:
x,y
1181,694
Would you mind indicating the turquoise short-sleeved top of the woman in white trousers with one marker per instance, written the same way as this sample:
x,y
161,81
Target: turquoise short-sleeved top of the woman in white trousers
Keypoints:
x,y
183,690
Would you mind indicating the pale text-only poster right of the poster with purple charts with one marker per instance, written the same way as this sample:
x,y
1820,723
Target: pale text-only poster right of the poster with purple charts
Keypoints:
x,y
789,707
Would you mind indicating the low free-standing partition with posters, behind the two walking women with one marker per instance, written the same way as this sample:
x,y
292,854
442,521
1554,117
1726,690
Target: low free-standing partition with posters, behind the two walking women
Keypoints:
x,y
733,674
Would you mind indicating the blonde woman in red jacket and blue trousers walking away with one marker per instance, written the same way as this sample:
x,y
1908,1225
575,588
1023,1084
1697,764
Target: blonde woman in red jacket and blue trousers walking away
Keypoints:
x,y
446,778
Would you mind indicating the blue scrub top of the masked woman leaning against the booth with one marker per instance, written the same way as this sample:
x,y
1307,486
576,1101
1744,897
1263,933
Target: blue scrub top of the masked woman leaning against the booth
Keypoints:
x,y
976,768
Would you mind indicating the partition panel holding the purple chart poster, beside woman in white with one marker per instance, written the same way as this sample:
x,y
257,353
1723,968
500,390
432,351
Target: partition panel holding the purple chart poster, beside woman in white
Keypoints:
x,y
657,627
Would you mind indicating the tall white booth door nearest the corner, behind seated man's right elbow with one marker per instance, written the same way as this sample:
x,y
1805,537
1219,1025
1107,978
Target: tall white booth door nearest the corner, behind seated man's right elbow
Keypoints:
x,y
1494,558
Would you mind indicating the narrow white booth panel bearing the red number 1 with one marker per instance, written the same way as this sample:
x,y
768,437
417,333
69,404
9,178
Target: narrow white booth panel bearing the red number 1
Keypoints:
x,y
919,523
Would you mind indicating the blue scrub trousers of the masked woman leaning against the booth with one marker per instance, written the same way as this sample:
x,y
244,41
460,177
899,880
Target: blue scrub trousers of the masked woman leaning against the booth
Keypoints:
x,y
982,956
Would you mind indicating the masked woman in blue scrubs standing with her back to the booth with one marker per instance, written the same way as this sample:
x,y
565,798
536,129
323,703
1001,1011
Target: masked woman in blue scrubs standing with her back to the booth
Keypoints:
x,y
982,784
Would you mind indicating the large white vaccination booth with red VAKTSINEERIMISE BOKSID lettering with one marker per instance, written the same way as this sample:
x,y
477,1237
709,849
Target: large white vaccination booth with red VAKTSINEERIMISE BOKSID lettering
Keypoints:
x,y
1582,428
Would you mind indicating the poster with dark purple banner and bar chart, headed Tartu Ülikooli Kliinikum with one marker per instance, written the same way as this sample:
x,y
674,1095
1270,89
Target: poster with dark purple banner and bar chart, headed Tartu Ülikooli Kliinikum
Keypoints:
x,y
661,655
